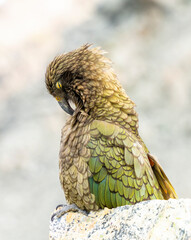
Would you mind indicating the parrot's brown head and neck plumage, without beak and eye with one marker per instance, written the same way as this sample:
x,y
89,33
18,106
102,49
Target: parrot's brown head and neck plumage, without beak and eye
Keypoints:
x,y
88,79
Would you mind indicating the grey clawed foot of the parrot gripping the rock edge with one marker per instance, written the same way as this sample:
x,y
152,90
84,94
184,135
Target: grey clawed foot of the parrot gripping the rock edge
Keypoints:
x,y
63,209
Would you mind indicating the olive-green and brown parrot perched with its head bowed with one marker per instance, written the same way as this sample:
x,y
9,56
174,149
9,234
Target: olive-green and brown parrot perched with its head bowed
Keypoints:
x,y
103,161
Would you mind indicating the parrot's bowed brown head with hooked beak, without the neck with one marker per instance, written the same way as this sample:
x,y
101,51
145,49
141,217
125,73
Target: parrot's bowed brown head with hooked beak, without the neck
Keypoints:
x,y
78,76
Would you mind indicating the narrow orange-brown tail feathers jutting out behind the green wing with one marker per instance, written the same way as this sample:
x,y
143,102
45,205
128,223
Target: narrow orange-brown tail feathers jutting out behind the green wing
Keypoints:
x,y
166,187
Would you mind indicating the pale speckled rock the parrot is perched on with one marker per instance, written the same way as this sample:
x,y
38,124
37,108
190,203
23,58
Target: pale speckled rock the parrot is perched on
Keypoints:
x,y
155,219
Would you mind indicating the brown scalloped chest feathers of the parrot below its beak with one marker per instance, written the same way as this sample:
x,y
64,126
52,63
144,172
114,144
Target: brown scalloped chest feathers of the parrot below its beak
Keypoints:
x,y
74,169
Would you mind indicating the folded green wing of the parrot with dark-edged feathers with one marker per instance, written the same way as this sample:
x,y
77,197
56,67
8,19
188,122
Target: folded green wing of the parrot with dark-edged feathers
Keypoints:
x,y
121,171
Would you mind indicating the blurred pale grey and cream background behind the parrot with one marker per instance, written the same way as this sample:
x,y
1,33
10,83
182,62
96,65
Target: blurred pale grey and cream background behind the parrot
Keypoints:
x,y
149,43
